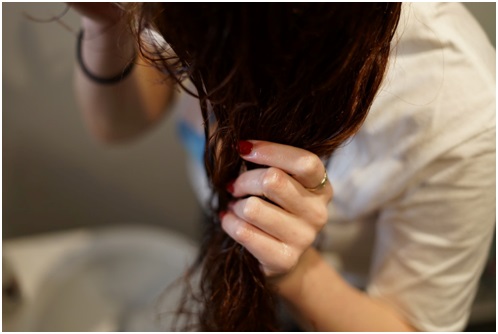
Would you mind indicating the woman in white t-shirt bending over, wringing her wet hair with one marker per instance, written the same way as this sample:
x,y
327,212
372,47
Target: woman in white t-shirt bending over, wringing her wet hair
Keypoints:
x,y
412,213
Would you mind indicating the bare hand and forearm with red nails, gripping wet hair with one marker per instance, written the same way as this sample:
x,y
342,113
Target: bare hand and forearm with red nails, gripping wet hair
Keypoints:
x,y
280,236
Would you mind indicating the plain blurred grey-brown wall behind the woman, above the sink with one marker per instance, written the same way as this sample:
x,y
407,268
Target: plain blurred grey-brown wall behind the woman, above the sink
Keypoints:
x,y
55,175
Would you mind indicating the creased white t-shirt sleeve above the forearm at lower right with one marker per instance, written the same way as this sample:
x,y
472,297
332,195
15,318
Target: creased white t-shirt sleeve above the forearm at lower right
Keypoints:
x,y
433,240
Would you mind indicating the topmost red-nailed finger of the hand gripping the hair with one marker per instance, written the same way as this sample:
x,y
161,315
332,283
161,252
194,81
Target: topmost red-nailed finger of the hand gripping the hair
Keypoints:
x,y
304,166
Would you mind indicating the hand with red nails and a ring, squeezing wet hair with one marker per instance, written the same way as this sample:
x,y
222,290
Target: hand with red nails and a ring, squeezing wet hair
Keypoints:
x,y
284,206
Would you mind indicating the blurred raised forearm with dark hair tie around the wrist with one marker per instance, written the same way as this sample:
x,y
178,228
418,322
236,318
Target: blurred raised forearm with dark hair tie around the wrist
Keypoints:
x,y
124,109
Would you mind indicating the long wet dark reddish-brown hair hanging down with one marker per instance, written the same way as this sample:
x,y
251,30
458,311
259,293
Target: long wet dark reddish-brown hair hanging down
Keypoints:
x,y
300,74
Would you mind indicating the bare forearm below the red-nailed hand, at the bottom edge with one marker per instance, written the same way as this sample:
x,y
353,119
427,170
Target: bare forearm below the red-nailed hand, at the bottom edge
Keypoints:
x,y
326,302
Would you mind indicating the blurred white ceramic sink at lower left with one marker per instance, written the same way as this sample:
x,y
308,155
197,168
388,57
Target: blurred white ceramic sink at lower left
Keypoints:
x,y
96,280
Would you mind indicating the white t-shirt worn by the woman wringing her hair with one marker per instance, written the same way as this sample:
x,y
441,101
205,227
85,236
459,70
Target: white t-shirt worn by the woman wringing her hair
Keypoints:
x,y
413,212
